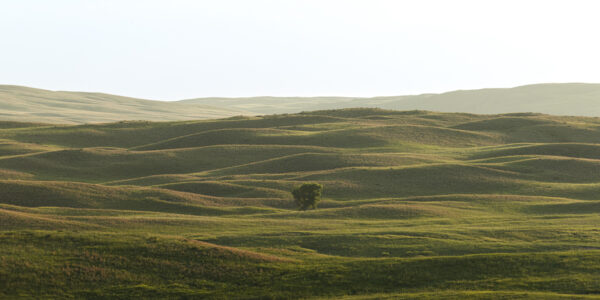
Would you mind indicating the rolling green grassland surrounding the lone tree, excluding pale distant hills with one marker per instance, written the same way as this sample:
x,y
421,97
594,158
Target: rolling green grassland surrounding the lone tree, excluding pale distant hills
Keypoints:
x,y
417,205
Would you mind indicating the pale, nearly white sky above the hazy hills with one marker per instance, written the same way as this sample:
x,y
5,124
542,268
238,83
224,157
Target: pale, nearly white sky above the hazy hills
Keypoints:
x,y
178,49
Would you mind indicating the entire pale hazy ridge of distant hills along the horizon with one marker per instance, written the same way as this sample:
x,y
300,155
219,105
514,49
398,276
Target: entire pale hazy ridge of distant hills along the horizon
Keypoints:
x,y
19,103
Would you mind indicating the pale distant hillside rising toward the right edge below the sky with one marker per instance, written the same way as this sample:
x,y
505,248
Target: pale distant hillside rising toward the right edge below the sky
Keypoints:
x,y
559,99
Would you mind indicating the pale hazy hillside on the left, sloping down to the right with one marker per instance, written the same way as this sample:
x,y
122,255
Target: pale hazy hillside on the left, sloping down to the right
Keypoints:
x,y
35,105
